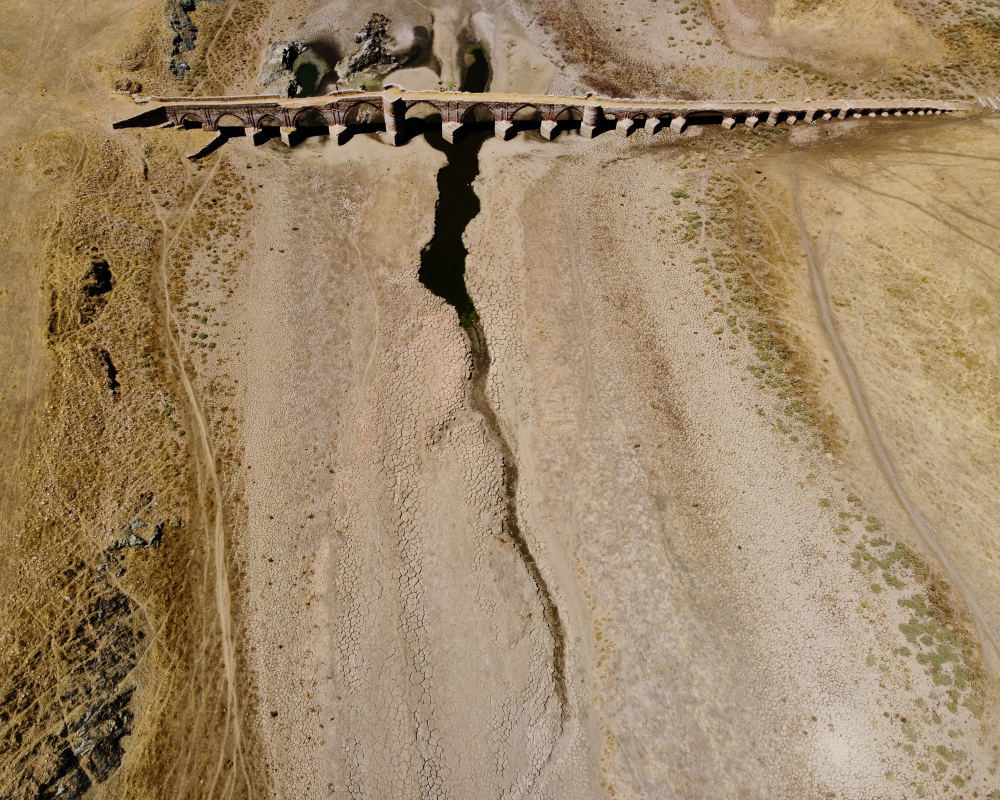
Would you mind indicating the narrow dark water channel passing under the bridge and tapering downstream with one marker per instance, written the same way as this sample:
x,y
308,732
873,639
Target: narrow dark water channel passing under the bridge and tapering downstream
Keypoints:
x,y
442,270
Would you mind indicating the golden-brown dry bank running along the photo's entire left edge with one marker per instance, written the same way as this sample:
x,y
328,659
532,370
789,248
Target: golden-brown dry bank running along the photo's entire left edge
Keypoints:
x,y
108,647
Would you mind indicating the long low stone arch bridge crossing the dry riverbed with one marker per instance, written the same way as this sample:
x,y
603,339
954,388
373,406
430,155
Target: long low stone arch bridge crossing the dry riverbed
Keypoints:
x,y
349,112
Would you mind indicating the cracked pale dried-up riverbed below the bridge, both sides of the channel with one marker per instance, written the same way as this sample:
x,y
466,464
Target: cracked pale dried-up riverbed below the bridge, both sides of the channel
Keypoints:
x,y
782,642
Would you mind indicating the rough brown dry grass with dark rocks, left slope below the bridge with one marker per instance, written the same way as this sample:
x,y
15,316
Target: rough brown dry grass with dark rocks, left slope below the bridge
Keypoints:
x,y
136,628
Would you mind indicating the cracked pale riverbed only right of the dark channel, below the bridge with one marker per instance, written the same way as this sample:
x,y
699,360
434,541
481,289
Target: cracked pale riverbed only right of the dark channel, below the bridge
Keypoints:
x,y
730,570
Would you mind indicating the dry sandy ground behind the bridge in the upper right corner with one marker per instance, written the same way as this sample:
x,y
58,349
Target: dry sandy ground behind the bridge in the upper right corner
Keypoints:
x,y
740,48
